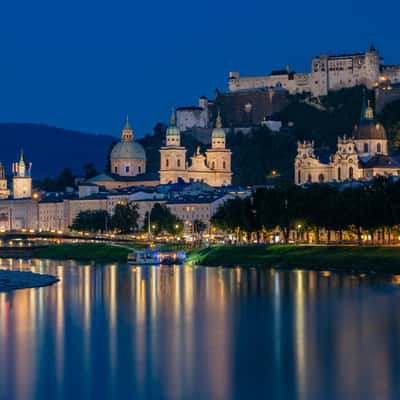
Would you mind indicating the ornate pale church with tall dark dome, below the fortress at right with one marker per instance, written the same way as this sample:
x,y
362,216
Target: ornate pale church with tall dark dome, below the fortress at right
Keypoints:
x,y
361,156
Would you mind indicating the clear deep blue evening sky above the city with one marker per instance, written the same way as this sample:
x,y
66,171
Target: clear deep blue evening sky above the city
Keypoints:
x,y
84,64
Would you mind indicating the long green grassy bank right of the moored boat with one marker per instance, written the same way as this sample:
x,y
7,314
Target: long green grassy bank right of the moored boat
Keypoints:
x,y
383,258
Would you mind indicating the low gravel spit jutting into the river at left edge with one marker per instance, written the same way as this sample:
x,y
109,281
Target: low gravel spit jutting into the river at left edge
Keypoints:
x,y
12,280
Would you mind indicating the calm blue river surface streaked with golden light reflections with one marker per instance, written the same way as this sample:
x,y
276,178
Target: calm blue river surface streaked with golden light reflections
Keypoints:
x,y
121,332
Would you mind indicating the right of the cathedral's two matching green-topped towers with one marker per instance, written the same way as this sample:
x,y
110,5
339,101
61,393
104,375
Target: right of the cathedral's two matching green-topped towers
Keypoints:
x,y
219,157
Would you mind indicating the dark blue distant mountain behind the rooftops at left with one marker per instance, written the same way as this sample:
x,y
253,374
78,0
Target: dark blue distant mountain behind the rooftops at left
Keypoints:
x,y
52,149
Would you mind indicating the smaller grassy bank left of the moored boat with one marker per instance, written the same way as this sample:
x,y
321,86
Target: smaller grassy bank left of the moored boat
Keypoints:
x,y
85,252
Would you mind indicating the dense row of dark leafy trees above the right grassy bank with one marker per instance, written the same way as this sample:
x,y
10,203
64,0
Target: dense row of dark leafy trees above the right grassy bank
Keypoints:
x,y
371,208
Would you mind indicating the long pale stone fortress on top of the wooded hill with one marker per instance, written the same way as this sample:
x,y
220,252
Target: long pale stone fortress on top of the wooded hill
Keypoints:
x,y
328,72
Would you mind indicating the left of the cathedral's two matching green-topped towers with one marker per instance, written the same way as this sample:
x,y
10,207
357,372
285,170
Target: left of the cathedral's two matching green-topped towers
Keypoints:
x,y
172,155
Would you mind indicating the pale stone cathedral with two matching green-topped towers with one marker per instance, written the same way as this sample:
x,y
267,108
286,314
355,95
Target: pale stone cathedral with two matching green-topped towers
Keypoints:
x,y
212,168
